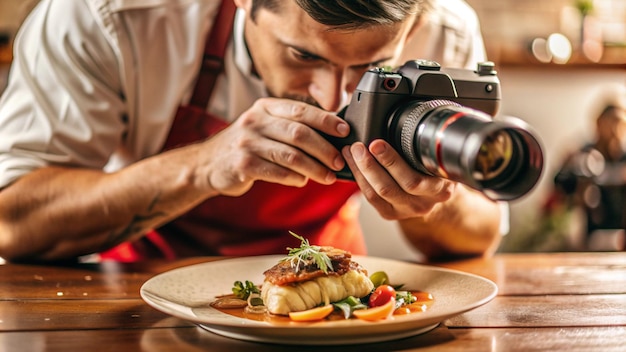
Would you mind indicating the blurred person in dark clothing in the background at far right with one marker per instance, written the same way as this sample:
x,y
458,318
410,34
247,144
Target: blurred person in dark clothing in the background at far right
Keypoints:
x,y
593,178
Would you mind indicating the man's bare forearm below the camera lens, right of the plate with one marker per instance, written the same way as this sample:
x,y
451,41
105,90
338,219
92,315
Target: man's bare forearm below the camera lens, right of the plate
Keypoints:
x,y
466,225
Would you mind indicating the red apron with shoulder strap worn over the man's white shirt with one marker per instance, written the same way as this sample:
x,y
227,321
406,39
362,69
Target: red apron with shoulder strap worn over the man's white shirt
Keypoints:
x,y
255,223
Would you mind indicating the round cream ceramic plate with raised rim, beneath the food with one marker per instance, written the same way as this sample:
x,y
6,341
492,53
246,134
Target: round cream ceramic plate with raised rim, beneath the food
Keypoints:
x,y
187,292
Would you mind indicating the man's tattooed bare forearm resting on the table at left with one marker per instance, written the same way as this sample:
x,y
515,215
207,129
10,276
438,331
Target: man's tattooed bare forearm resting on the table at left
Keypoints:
x,y
54,213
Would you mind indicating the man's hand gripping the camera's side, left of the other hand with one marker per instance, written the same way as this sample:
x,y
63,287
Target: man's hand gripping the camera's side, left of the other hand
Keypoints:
x,y
276,140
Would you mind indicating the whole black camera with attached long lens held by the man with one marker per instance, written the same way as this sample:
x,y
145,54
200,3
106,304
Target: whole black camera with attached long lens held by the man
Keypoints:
x,y
440,121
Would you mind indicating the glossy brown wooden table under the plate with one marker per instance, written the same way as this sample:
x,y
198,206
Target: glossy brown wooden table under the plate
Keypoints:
x,y
546,302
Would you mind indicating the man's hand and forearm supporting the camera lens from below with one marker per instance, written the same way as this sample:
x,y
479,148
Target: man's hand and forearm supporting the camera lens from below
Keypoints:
x,y
441,218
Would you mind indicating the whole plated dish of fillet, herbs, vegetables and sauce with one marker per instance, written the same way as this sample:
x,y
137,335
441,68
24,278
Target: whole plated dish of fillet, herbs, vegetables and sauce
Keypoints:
x,y
321,282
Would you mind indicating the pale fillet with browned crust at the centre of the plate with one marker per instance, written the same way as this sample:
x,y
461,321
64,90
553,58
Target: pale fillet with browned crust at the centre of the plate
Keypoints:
x,y
289,290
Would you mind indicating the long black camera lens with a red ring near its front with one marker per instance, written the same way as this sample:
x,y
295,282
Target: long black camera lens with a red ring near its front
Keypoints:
x,y
442,138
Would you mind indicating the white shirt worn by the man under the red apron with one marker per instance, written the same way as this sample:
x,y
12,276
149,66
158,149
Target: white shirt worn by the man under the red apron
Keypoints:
x,y
96,83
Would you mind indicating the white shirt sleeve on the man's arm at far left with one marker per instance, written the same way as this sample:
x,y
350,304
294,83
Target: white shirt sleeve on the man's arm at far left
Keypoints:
x,y
64,101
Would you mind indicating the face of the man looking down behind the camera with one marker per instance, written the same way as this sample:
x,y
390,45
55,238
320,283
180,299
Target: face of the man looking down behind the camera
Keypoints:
x,y
299,58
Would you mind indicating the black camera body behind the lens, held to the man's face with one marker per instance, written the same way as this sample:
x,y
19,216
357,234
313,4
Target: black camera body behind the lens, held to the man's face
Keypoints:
x,y
379,92
